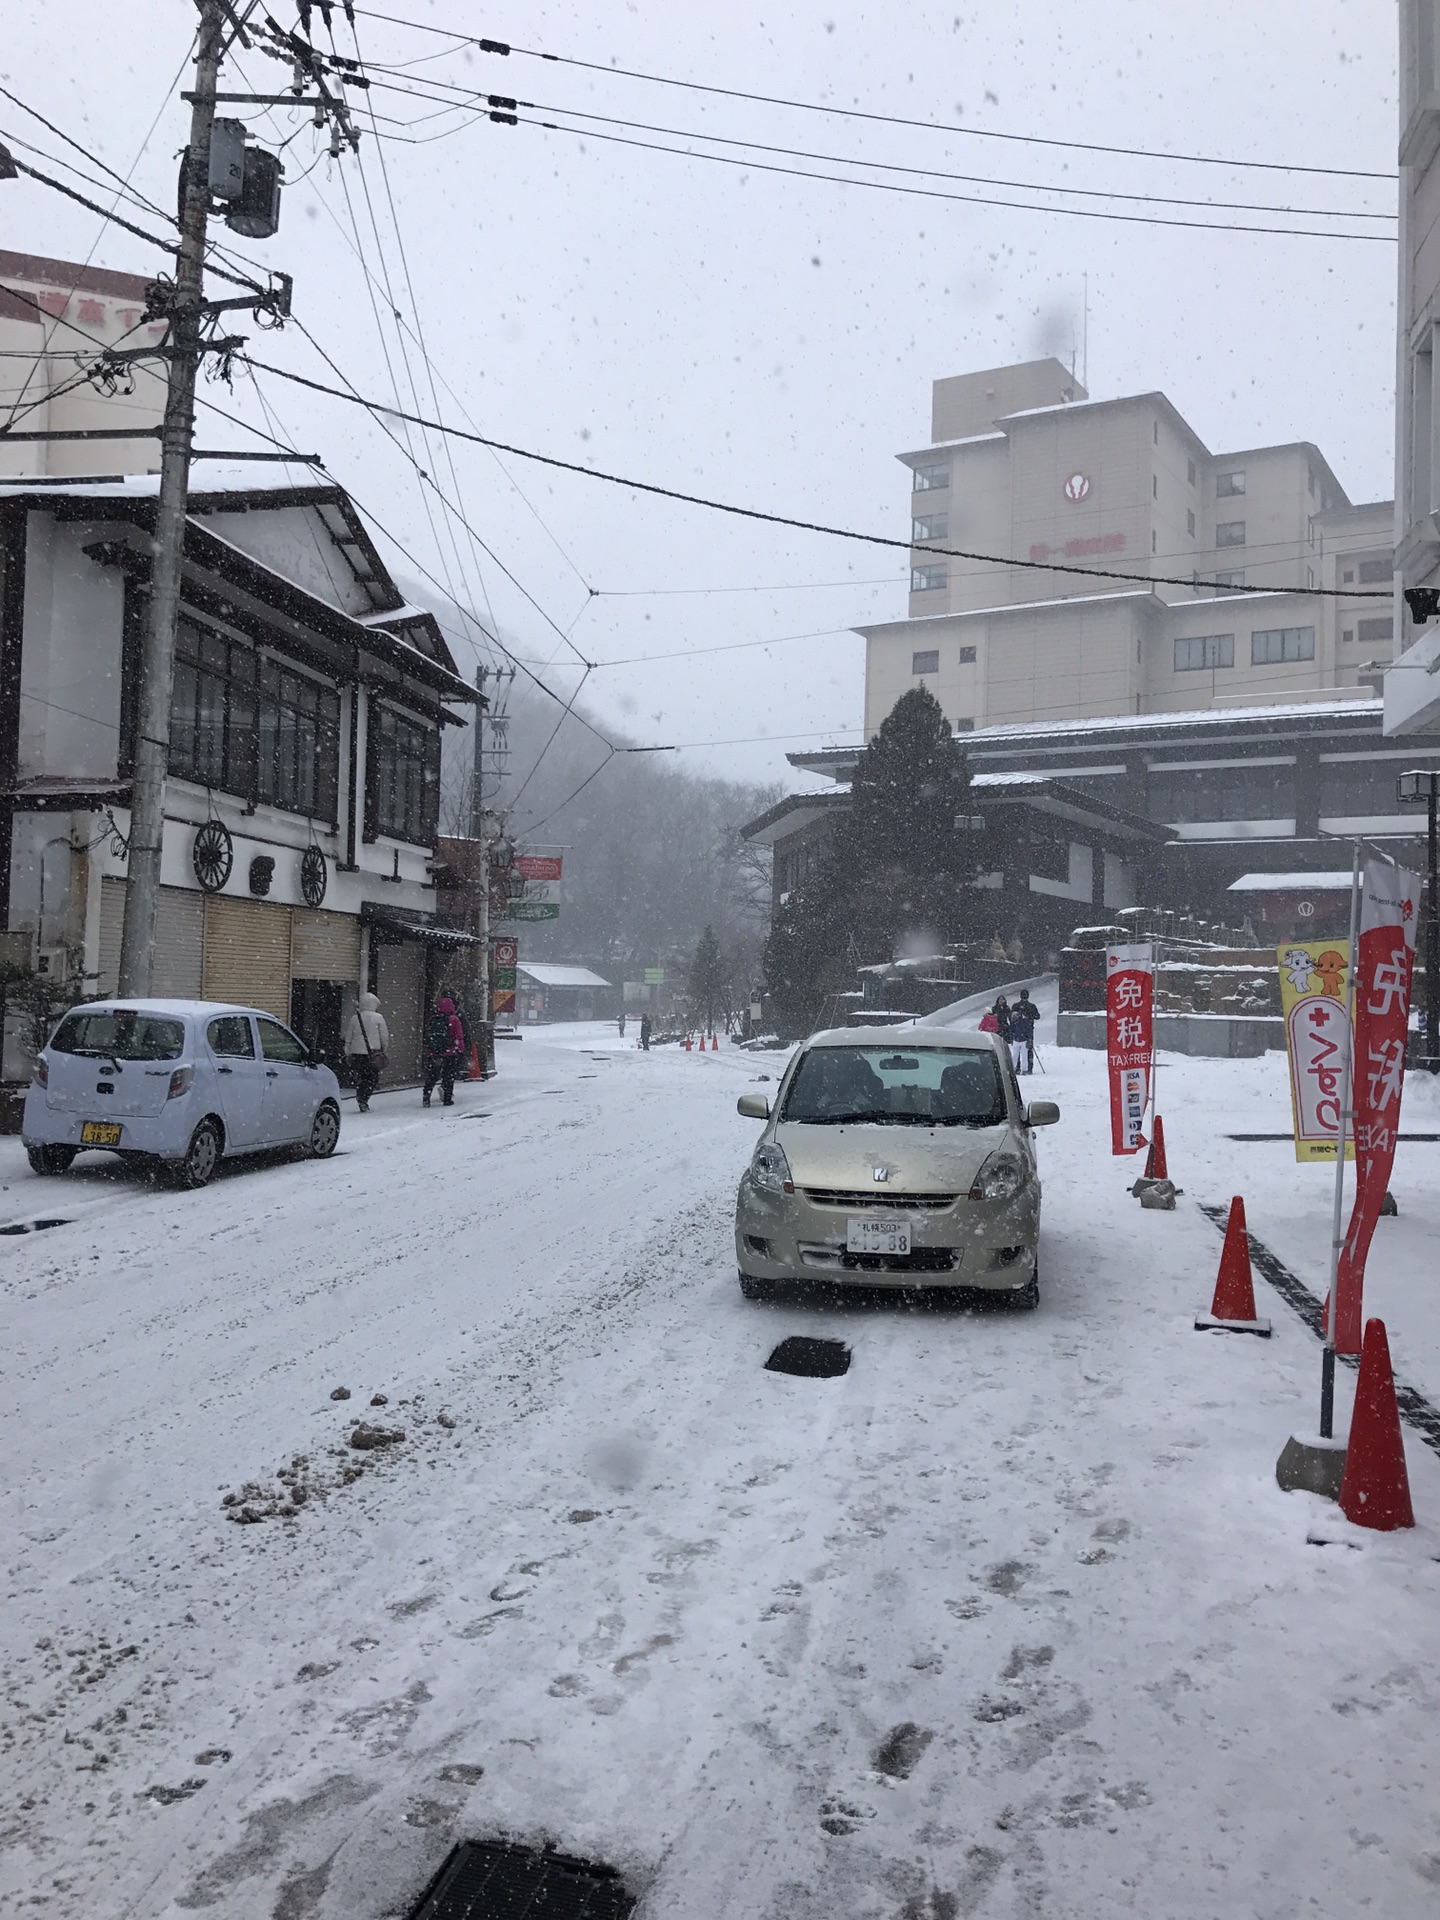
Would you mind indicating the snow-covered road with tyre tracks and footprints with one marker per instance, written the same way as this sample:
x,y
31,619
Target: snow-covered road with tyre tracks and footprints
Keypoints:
x,y
1009,1621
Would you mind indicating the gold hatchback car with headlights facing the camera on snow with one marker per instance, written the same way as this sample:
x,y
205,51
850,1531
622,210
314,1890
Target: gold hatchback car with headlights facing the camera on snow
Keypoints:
x,y
894,1159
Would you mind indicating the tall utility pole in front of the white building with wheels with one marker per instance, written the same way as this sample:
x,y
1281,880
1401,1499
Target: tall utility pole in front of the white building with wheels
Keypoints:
x,y
178,431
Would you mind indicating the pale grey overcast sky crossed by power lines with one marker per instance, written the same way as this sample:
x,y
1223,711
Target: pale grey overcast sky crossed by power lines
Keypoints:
x,y
752,337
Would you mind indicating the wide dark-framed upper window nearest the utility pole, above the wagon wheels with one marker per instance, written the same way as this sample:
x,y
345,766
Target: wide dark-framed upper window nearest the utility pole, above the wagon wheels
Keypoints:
x,y
251,727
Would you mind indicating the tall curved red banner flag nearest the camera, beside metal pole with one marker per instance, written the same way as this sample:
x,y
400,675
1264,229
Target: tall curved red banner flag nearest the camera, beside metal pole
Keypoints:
x,y
1385,959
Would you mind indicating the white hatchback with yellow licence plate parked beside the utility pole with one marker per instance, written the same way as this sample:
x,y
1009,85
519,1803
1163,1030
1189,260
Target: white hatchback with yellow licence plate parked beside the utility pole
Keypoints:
x,y
176,1082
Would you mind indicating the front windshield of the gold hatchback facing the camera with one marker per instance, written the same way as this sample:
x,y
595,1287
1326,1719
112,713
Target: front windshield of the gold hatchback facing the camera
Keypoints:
x,y
898,1088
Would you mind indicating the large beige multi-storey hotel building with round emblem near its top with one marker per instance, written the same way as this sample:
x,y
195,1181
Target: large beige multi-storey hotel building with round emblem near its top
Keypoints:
x,y
1024,468
